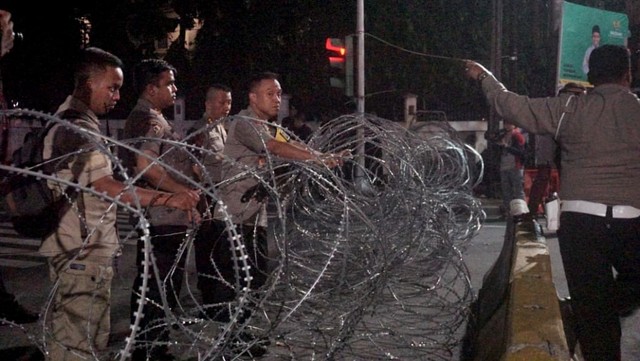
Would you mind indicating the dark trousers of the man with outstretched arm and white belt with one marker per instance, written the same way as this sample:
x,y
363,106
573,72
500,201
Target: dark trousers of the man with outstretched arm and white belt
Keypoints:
x,y
590,246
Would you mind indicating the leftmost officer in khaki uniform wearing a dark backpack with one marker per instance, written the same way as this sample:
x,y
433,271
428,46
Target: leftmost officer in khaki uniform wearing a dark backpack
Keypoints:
x,y
81,250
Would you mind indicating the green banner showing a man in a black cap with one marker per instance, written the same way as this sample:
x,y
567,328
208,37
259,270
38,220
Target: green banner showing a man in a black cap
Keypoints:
x,y
583,29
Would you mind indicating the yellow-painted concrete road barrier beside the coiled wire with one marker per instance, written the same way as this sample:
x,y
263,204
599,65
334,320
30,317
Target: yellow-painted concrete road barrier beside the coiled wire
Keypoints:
x,y
517,316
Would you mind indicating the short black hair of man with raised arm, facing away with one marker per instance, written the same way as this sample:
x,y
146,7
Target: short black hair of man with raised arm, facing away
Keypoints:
x,y
608,64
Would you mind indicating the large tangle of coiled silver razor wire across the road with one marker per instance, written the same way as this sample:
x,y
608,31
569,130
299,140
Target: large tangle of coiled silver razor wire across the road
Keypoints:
x,y
365,259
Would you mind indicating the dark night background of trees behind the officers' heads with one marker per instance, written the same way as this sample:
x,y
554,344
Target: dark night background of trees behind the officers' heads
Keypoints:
x,y
240,37
